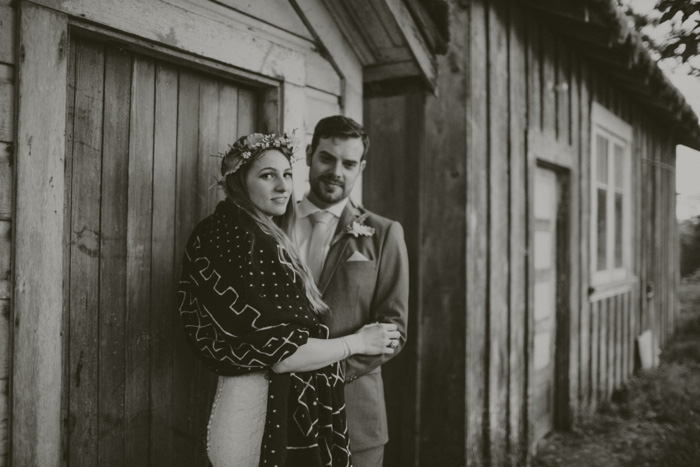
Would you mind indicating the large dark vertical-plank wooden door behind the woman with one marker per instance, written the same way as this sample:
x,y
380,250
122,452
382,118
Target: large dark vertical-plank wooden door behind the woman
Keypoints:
x,y
139,176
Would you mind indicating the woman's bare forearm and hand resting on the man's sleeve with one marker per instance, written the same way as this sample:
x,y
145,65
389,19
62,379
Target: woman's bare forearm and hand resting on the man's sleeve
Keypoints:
x,y
372,339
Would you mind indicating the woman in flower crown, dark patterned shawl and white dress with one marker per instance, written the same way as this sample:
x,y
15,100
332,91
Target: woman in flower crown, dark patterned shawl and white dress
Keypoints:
x,y
251,311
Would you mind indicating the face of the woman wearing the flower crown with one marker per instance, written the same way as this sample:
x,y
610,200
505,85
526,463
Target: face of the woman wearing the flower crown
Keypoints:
x,y
269,182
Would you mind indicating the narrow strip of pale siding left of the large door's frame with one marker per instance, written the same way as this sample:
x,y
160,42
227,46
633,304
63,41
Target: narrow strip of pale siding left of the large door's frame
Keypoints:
x,y
7,96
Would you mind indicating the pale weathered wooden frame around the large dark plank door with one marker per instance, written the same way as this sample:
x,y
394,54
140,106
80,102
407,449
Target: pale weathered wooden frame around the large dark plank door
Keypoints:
x,y
36,383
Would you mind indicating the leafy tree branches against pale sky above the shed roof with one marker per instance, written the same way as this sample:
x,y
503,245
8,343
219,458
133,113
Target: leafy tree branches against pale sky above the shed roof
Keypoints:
x,y
671,30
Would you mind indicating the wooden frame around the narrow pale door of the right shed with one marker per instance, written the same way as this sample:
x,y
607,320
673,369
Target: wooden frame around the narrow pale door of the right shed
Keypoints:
x,y
546,151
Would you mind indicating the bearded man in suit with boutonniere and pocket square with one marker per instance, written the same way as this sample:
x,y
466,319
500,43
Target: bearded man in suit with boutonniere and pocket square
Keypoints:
x,y
360,265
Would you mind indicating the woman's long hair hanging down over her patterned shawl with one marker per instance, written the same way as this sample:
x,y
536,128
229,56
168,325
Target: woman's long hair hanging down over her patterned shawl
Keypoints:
x,y
280,228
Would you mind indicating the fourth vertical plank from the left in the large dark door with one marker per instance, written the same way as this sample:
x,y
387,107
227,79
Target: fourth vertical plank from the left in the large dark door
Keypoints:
x,y
164,266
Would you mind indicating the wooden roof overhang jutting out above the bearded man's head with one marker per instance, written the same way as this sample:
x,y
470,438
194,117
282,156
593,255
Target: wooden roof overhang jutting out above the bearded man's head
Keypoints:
x,y
393,39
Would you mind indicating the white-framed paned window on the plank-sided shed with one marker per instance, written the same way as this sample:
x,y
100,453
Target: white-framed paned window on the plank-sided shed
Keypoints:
x,y
611,235
